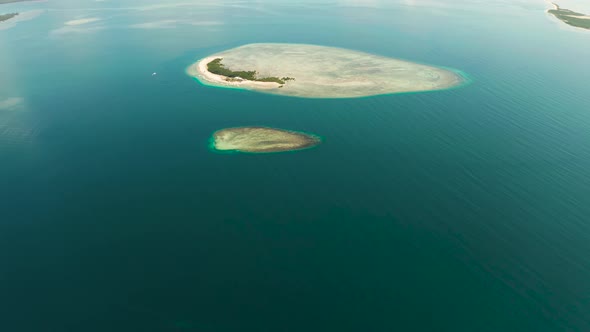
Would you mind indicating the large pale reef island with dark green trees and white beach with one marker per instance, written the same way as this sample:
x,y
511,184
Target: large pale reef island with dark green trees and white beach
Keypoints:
x,y
321,72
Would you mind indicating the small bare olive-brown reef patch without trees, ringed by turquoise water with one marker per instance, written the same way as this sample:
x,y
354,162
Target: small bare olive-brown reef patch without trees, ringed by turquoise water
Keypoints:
x,y
262,140
